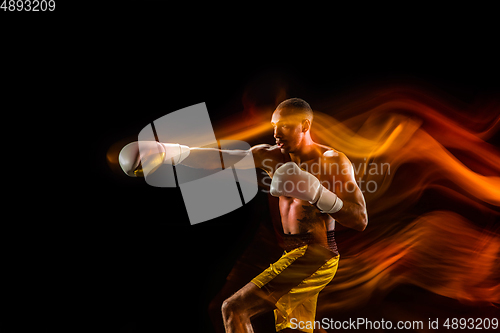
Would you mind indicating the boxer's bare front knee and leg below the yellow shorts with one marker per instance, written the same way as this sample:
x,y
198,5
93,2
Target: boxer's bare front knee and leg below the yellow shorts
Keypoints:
x,y
247,302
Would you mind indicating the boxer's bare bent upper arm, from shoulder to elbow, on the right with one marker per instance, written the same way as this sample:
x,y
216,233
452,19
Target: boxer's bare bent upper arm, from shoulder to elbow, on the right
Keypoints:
x,y
353,213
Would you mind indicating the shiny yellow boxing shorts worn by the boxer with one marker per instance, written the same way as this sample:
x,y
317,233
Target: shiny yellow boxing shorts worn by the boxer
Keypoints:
x,y
301,274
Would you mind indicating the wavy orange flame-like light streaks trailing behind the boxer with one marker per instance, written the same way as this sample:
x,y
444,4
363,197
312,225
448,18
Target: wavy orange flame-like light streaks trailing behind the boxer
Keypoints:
x,y
430,145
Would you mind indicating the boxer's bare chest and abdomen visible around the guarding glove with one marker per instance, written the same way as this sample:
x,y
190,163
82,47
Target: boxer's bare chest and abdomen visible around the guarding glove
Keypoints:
x,y
298,216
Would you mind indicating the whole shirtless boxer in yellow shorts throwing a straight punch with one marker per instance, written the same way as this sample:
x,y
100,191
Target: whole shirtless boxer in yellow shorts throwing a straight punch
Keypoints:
x,y
316,187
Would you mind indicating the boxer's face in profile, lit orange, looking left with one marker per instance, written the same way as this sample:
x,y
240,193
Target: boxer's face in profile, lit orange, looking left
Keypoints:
x,y
288,130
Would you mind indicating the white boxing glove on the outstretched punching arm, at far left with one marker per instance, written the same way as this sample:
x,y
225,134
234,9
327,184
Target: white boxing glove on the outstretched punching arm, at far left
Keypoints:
x,y
142,158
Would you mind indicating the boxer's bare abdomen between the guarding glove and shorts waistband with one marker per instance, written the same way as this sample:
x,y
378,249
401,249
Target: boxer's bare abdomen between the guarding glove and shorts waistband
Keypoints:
x,y
298,217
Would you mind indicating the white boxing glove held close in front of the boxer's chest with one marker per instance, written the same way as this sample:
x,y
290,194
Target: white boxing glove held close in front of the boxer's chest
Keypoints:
x,y
290,181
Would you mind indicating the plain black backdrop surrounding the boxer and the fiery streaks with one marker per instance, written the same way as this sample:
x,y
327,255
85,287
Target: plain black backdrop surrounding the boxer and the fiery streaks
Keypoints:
x,y
105,252
